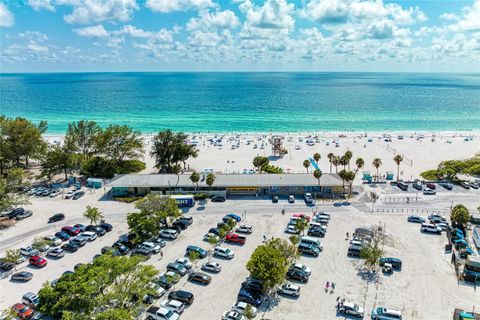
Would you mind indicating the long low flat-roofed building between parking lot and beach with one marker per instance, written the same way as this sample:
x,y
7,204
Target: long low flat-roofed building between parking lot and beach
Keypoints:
x,y
227,184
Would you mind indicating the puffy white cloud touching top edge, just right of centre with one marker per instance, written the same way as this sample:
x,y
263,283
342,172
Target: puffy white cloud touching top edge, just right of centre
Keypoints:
x,y
274,14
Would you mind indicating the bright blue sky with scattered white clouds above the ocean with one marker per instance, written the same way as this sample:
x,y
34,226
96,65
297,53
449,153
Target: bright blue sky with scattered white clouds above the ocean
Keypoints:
x,y
239,35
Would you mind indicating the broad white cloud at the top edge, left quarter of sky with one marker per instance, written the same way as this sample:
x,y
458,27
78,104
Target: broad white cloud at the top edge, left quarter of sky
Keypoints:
x,y
89,11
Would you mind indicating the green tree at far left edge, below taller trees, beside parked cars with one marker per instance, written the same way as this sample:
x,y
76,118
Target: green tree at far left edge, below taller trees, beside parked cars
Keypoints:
x,y
11,186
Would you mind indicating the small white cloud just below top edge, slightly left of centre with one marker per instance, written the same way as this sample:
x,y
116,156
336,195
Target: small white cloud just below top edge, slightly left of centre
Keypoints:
x,y
214,20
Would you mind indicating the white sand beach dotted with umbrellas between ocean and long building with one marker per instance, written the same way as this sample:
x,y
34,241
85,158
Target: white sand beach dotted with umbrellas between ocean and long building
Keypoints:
x,y
421,151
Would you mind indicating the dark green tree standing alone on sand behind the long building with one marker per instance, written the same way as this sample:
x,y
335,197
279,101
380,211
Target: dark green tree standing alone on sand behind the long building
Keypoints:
x,y
169,148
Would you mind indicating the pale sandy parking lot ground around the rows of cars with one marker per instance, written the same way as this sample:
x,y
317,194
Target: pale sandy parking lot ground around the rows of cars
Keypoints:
x,y
426,288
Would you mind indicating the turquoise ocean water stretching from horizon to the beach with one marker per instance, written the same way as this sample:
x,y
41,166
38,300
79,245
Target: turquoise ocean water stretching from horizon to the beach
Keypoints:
x,y
247,101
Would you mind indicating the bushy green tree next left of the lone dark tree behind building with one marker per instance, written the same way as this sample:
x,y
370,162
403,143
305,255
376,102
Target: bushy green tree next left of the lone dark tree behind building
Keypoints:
x,y
119,143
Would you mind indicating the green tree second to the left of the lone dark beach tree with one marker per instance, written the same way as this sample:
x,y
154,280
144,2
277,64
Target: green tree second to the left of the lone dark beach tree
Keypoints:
x,y
83,137
